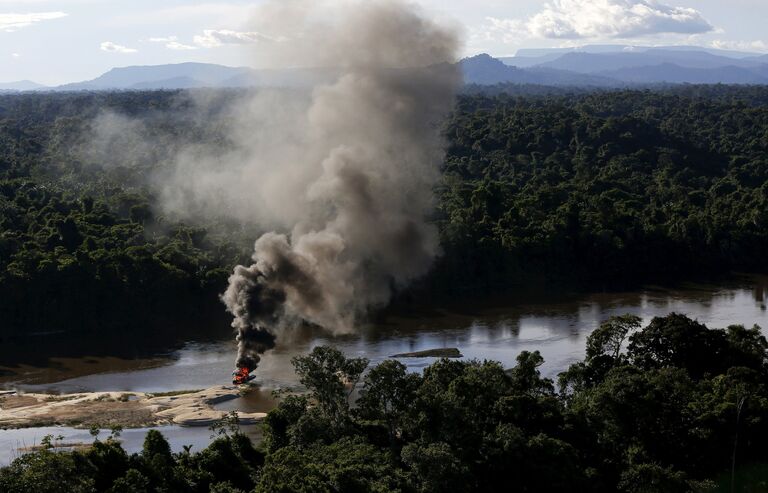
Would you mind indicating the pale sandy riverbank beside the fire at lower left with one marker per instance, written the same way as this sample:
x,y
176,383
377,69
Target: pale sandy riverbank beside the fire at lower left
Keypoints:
x,y
126,409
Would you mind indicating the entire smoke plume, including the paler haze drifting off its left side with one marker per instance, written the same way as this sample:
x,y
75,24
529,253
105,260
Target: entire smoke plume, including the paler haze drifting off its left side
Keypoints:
x,y
345,172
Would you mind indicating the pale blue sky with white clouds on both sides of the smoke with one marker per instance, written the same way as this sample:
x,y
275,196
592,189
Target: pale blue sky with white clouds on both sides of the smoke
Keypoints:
x,y
53,42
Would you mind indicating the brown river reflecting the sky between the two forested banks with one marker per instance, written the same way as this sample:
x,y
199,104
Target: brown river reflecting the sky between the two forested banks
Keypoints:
x,y
493,329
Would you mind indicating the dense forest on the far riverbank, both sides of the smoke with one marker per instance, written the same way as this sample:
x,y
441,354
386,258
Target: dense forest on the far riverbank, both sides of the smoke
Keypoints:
x,y
572,187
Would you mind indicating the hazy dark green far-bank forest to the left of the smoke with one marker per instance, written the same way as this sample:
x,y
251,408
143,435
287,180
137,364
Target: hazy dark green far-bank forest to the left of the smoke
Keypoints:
x,y
80,230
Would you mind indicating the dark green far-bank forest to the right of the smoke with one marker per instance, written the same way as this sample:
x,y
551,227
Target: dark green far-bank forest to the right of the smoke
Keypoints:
x,y
610,188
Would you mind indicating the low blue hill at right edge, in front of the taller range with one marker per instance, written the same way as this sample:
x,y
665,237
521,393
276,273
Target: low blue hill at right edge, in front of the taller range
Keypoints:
x,y
676,74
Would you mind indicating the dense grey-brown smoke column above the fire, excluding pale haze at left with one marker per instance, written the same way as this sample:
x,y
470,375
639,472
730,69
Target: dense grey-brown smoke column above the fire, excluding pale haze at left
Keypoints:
x,y
372,153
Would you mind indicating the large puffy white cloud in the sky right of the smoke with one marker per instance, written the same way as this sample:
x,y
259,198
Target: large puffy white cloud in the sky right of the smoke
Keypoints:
x,y
579,19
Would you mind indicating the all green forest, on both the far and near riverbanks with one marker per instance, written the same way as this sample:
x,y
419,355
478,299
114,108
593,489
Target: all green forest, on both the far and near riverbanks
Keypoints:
x,y
585,187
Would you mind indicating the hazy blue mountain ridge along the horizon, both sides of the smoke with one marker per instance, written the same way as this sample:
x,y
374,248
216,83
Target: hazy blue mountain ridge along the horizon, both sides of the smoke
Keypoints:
x,y
603,66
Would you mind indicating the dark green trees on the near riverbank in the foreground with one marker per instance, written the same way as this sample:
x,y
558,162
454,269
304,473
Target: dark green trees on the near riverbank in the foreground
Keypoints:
x,y
674,407
